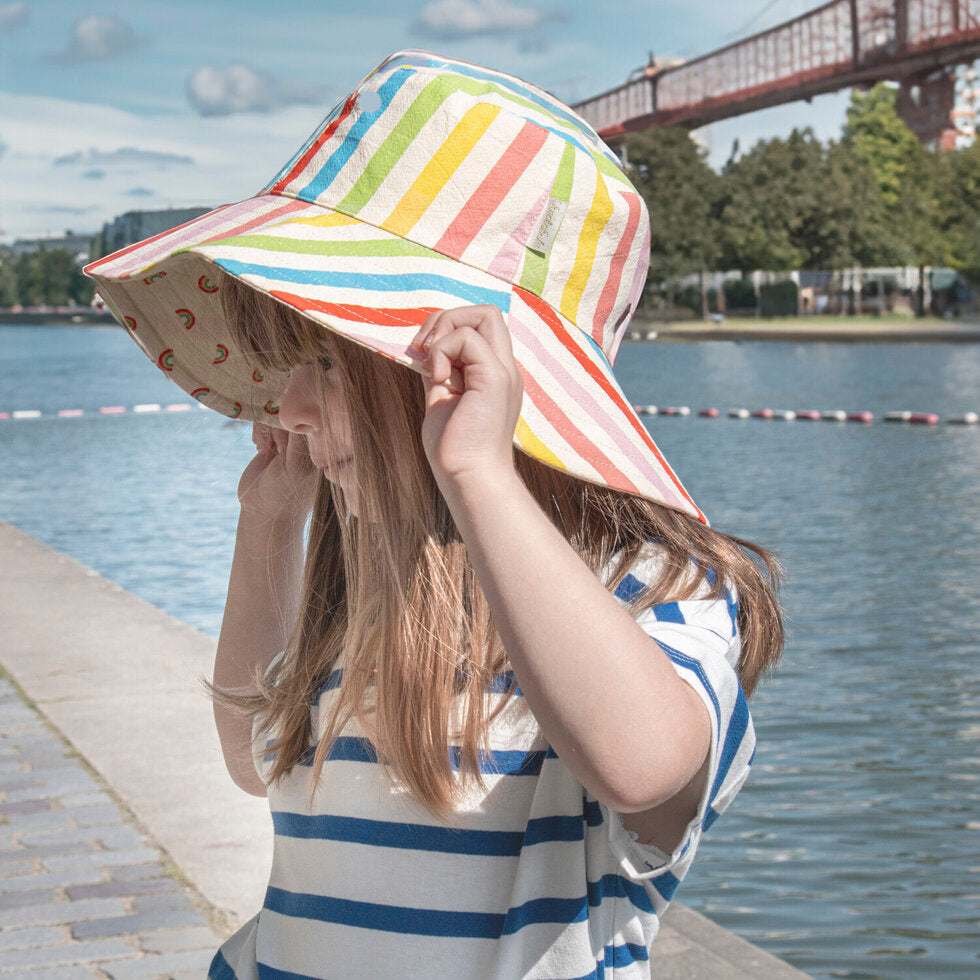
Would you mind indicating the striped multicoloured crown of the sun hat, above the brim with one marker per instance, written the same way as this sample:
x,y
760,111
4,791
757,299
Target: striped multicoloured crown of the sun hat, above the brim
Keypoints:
x,y
490,171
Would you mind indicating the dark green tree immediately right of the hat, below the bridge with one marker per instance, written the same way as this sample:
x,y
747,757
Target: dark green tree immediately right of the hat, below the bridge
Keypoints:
x,y
670,171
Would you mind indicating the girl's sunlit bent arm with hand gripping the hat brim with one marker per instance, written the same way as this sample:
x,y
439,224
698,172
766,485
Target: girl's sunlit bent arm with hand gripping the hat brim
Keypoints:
x,y
607,698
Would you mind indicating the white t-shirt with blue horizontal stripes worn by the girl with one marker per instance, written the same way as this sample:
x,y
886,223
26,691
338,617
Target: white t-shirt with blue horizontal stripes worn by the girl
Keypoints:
x,y
533,878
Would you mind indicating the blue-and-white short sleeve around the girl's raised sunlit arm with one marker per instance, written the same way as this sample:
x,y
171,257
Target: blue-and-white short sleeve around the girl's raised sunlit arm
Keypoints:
x,y
701,638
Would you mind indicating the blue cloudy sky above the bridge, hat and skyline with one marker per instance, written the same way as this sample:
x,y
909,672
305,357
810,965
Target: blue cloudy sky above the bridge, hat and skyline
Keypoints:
x,y
115,106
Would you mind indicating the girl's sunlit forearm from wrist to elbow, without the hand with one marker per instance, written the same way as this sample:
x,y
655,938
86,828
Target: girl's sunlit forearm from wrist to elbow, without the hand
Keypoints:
x,y
606,697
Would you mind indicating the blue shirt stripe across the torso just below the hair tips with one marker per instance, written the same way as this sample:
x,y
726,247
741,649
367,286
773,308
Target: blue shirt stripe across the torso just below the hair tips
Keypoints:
x,y
426,837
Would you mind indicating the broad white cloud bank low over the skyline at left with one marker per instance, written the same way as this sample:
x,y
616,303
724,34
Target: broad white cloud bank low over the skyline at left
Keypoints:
x,y
234,156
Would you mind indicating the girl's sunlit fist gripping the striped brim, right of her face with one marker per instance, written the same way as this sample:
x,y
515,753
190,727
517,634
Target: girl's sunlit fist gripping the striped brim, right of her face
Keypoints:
x,y
473,394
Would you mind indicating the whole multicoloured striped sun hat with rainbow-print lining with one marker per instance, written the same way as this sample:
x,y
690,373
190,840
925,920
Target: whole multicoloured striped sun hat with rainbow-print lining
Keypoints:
x,y
434,184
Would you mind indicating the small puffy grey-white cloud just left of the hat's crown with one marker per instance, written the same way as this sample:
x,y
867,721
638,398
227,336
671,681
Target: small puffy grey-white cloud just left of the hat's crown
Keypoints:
x,y
238,88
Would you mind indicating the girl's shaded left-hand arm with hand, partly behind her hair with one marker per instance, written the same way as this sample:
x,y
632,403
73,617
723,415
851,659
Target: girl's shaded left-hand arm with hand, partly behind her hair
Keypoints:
x,y
275,493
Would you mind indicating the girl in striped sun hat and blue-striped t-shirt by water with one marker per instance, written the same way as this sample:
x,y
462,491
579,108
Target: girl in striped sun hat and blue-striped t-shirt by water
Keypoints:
x,y
499,701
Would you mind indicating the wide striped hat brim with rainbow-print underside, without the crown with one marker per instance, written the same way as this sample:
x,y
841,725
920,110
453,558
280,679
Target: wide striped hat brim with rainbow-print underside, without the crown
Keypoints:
x,y
375,289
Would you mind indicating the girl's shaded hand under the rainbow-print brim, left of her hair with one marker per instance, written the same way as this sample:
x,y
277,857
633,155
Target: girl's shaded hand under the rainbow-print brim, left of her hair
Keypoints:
x,y
279,483
